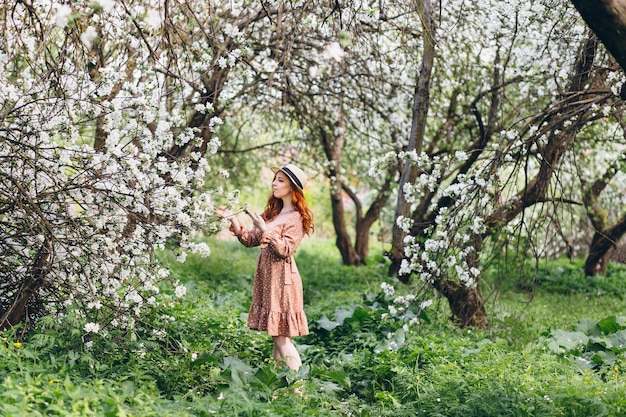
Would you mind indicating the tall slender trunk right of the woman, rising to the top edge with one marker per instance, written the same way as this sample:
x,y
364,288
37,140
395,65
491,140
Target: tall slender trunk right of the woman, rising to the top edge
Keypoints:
x,y
421,101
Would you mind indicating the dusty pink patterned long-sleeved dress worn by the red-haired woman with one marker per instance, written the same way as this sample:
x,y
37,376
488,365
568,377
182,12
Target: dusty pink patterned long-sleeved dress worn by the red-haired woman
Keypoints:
x,y
277,297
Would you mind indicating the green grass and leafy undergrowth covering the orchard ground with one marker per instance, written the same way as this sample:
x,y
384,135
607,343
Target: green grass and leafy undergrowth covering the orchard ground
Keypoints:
x,y
213,365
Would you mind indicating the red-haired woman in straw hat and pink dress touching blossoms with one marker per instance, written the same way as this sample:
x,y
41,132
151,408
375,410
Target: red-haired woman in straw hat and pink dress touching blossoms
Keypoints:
x,y
277,298
